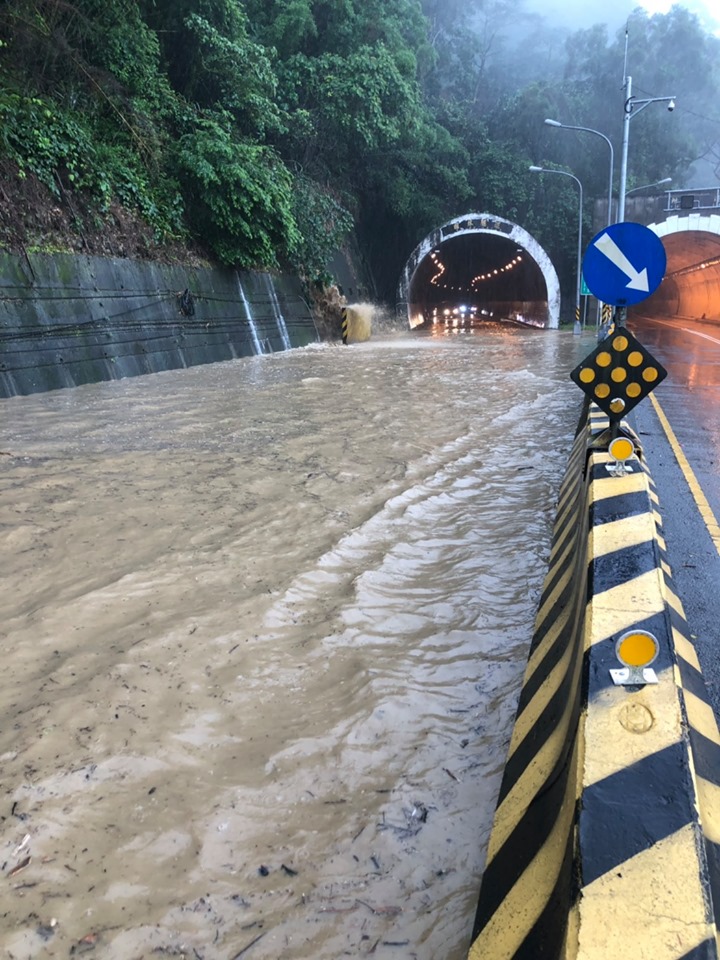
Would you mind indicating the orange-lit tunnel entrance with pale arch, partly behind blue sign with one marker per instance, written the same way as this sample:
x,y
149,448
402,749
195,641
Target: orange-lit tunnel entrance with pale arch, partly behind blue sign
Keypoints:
x,y
691,285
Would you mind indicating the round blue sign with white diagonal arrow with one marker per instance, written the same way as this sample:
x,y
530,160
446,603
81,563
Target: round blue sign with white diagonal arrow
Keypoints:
x,y
624,264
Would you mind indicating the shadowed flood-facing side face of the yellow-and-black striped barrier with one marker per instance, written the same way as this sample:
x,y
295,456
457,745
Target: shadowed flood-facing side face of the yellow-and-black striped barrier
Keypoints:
x,y
528,881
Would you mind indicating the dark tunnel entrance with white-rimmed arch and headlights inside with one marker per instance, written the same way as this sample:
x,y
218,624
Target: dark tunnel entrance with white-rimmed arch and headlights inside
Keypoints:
x,y
479,269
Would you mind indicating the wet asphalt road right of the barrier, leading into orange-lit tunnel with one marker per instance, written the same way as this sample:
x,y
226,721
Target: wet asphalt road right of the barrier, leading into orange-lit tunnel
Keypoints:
x,y
690,400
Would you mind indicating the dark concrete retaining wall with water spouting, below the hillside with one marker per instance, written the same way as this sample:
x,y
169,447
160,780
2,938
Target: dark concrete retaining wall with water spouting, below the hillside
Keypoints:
x,y
67,320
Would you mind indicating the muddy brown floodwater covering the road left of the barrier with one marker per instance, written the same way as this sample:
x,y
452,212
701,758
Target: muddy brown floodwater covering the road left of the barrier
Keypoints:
x,y
263,627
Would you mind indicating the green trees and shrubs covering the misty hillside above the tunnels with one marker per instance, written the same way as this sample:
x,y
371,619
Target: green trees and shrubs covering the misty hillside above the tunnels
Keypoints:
x,y
265,130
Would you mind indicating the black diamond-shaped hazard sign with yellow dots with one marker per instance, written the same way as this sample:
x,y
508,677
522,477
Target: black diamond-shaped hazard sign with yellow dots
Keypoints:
x,y
618,374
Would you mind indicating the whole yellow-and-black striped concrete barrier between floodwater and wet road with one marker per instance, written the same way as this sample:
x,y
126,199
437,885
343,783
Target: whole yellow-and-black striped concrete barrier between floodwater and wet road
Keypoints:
x,y
606,839
